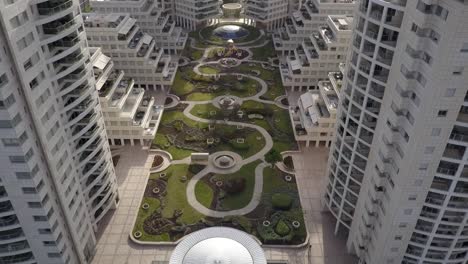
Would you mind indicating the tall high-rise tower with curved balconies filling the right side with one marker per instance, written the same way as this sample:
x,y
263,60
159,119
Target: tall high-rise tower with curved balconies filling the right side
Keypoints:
x,y
397,178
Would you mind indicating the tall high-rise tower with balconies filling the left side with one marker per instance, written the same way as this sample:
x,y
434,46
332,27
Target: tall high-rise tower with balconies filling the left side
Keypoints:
x,y
57,178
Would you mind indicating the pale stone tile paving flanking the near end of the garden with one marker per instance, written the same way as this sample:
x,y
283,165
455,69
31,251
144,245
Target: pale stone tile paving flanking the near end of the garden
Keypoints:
x,y
132,171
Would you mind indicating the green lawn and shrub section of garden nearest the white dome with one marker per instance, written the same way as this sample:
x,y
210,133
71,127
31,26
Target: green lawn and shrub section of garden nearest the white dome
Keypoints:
x,y
277,220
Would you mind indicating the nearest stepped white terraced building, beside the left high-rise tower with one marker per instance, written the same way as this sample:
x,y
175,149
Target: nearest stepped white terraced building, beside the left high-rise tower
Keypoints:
x,y
130,115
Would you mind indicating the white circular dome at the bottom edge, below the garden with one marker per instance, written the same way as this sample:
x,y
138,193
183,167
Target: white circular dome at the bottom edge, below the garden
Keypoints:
x,y
218,245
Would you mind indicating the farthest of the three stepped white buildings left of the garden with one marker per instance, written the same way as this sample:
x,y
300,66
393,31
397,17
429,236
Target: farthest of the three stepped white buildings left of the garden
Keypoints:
x,y
153,17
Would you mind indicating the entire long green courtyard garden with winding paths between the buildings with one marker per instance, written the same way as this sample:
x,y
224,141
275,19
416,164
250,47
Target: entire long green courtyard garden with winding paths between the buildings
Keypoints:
x,y
231,112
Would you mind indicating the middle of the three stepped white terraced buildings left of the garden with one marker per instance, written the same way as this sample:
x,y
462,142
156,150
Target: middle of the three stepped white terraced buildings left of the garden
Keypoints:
x,y
131,50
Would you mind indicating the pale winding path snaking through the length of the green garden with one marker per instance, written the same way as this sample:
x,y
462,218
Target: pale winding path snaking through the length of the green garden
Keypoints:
x,y
257,191
